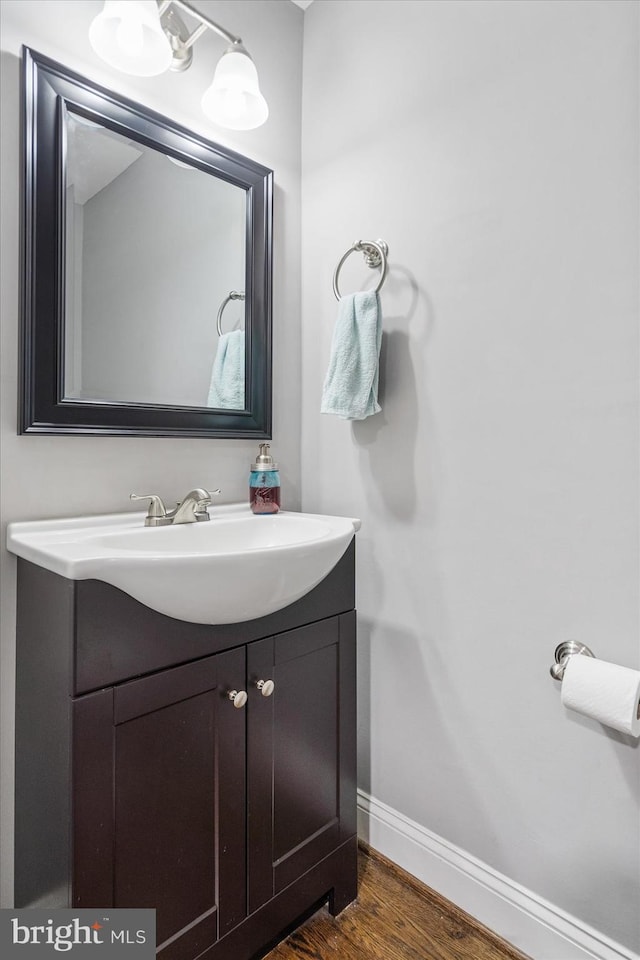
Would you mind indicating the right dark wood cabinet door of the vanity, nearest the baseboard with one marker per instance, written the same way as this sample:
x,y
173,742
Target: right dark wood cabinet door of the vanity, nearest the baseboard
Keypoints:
x,y
301,752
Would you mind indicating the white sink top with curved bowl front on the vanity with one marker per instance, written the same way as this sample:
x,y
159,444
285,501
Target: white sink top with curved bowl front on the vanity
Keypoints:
x,y
235,567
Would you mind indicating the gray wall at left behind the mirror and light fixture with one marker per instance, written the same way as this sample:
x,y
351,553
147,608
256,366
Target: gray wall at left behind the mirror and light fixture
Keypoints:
x,y
61,476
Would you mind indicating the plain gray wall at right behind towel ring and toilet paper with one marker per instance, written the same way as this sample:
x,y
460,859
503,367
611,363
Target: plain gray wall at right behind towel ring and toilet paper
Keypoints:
x,y
494,146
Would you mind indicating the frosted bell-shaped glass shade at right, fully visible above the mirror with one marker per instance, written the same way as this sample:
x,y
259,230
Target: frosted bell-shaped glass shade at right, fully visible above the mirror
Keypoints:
x,y
234,100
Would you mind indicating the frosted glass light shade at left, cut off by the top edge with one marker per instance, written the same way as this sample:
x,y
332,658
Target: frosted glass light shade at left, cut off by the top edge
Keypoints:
x,y
128,36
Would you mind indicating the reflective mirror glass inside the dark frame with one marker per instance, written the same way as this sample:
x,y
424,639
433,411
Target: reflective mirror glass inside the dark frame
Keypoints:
x,y
155,276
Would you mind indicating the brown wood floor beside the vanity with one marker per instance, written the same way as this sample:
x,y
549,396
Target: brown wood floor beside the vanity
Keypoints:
x,y
395,918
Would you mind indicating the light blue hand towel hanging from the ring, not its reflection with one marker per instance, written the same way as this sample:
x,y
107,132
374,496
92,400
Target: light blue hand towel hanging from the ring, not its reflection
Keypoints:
x,y
351,385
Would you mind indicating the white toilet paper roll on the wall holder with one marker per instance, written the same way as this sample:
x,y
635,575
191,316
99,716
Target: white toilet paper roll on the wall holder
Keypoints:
x,y
604,691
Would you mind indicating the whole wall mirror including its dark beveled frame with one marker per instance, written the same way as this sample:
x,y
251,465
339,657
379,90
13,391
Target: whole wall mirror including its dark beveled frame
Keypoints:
x,y
146,270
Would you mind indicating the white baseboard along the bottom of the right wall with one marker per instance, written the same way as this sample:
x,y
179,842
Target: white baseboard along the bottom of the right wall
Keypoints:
x,y
533,925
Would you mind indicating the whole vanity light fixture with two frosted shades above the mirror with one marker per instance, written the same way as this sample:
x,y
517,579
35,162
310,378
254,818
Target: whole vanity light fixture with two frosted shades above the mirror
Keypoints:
x,y
144,38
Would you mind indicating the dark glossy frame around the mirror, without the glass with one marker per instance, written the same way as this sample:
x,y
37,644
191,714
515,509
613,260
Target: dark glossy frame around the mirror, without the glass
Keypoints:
x,y
48,91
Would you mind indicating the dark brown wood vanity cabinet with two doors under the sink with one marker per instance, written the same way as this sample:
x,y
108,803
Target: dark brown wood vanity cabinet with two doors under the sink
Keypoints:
x,y
231,822
